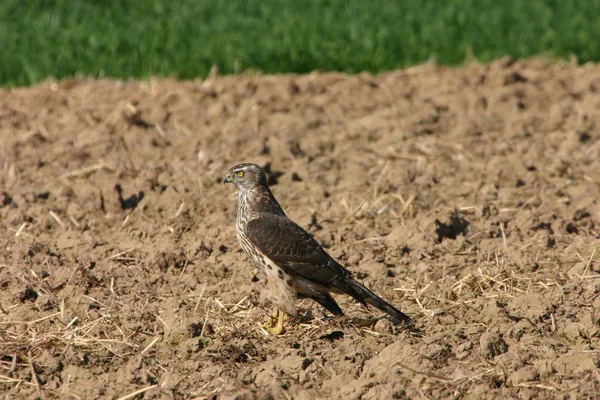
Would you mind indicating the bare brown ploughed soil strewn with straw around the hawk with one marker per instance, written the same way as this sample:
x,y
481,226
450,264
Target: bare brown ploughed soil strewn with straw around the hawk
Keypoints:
x,y
468,197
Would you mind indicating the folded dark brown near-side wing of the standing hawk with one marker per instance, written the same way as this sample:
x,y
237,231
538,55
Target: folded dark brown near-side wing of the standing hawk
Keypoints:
x,y
293,249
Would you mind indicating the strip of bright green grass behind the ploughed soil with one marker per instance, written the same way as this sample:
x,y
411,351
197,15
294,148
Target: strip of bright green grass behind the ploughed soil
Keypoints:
x,y
140,38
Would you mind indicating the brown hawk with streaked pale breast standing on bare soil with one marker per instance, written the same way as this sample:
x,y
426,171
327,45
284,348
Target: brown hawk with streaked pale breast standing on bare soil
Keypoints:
x,y
292,263
